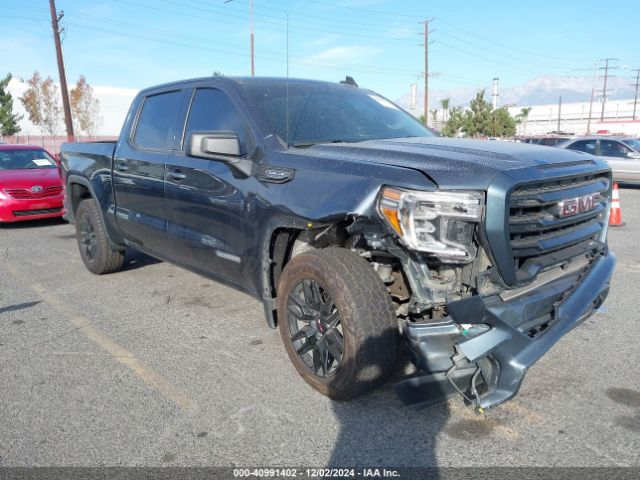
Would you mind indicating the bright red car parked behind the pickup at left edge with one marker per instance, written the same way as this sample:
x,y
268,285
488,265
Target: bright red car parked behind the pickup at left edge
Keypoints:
x,y
30,185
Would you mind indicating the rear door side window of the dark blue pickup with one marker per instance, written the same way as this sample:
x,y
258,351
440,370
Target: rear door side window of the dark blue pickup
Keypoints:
x,y
157,121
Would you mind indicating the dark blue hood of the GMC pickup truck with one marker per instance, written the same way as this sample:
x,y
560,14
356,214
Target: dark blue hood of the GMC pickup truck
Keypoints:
x,y
451,163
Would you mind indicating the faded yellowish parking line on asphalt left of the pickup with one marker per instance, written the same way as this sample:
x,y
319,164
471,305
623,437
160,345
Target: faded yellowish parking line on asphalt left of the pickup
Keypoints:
x,y
117,351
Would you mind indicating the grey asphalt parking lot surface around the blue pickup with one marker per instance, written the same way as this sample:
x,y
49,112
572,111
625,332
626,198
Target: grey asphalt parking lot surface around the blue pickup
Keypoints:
x,y
155,366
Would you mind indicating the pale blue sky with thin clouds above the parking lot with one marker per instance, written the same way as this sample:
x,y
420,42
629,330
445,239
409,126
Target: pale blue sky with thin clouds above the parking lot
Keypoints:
x,y
137,43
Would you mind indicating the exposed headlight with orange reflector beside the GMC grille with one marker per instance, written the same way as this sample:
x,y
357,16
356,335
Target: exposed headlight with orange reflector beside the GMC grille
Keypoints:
x,y
439,223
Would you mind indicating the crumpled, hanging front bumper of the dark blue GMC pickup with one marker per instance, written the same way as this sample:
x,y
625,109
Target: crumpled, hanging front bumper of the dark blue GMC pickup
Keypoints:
x,y
503,353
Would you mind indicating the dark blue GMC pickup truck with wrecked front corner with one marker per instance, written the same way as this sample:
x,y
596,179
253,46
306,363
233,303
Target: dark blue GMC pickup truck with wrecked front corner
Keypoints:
x,y
355,227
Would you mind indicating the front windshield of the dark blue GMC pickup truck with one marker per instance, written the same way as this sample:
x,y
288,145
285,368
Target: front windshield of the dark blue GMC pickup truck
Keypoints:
x,y
321,114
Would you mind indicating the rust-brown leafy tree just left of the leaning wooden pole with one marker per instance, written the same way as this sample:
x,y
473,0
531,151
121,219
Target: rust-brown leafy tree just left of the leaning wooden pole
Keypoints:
x,y
42,103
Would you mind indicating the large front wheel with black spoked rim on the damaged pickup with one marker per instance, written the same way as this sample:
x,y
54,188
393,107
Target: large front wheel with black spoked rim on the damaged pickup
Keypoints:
x,y
346,288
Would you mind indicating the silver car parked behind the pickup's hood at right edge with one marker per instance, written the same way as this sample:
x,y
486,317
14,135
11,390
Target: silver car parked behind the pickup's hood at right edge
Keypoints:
x,y
621,153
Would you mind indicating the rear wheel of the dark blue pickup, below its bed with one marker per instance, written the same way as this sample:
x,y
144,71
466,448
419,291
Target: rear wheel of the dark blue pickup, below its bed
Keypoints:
x,y
93,243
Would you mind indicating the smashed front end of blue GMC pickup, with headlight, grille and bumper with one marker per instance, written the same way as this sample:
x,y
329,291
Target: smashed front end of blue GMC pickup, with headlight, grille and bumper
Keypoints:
x,y
519,279
